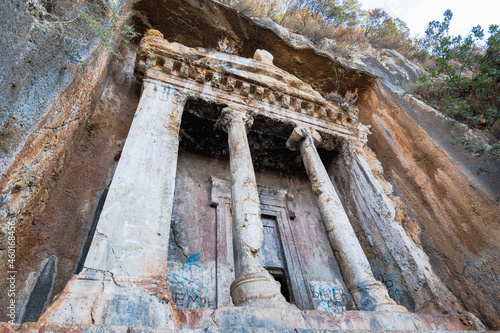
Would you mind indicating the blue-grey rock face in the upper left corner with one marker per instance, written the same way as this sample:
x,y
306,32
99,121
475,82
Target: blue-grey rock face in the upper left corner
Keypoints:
x,y
35,69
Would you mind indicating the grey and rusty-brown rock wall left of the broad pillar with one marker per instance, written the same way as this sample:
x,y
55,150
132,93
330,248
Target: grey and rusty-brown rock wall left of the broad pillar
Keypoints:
x,y
54,174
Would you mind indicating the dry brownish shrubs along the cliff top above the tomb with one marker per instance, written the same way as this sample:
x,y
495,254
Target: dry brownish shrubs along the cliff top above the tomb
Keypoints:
x,y
341,20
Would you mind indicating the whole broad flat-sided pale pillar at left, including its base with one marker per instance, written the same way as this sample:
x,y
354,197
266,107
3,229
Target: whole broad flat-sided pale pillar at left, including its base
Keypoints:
x,y
126,265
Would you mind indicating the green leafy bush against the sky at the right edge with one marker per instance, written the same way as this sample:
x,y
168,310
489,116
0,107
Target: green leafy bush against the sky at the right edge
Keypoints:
x,y
465,84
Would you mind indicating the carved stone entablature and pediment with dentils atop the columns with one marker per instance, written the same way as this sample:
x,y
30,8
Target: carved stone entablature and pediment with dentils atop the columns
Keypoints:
x,y
244,84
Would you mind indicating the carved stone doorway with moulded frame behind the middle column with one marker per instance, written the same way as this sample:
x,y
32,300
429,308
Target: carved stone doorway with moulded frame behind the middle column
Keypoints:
x,y
278,255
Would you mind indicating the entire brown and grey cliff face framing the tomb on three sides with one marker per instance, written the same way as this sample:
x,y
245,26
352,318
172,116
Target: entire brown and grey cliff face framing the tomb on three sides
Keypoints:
x,y
53,186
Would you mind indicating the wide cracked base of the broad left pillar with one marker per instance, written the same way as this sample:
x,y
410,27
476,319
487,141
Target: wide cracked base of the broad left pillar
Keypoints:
x,y
97,299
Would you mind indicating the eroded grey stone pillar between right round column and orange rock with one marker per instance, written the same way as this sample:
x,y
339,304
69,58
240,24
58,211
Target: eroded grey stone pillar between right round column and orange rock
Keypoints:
x,y
390,237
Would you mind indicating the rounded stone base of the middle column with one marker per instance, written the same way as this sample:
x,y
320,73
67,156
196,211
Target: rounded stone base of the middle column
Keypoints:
x,y
257,290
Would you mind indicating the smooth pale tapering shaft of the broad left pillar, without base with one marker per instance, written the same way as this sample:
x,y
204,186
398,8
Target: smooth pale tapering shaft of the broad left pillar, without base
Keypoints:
x,y
132,235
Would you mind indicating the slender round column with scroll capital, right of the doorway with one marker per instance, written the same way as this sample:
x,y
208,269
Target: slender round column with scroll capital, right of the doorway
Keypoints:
x,y
368,293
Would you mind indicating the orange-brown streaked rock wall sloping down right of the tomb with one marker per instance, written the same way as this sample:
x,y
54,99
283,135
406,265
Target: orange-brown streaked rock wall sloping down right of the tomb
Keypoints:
x,y
457,215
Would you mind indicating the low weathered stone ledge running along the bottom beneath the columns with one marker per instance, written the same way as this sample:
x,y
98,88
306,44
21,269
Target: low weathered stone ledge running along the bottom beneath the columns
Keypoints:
x,y
246,319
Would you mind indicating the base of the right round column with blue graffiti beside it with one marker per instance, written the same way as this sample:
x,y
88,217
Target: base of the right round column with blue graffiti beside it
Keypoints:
x,y
374,297
